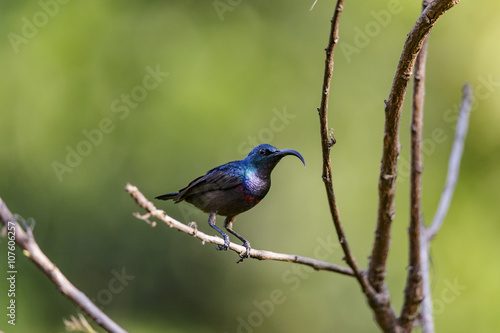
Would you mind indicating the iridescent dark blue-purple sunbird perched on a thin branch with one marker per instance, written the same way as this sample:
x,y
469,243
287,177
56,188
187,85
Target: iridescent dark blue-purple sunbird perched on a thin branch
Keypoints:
x,y
232,188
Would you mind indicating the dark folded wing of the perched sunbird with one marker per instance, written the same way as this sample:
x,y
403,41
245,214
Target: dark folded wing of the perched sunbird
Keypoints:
x,y
221,178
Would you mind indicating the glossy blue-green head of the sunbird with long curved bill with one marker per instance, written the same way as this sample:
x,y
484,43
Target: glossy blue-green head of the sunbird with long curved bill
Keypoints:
x,y
264,157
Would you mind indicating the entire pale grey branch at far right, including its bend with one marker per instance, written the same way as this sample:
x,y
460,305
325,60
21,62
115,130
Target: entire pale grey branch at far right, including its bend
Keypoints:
x,y
444,203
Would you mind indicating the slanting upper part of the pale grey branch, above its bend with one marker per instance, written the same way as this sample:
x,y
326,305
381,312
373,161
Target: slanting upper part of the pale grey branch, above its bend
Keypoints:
x,y
453,163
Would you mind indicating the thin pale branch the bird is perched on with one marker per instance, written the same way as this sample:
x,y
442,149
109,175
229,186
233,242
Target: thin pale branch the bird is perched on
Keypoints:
x,y
143,202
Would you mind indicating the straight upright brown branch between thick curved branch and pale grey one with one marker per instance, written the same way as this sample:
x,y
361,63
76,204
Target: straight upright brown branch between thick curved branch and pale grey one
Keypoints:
x,y
413,291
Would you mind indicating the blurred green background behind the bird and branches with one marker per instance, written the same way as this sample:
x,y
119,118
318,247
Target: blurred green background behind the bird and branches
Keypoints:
x,y
244,73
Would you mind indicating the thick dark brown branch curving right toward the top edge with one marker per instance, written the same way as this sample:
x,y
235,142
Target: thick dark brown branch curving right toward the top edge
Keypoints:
x,y
391,146
